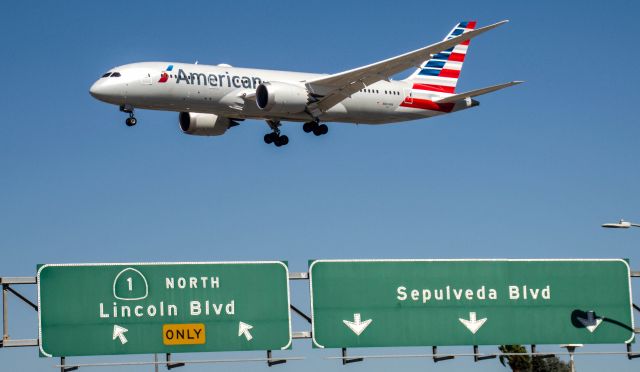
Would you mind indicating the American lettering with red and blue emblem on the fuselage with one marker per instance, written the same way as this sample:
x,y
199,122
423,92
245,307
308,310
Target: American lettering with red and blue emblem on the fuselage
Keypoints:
x,y
213,80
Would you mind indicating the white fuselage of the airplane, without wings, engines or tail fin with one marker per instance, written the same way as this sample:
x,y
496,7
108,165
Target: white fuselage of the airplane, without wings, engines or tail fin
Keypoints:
x,y
230,92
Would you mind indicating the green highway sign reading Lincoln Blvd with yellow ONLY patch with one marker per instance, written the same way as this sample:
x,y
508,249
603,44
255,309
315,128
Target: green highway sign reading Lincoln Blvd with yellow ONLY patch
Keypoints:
x,y
109,309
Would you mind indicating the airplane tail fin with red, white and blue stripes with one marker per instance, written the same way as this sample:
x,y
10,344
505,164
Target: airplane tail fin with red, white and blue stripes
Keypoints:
x,y
440,73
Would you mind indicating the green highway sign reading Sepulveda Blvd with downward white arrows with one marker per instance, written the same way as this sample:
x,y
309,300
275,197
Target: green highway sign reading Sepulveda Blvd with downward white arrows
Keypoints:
x,y
377,303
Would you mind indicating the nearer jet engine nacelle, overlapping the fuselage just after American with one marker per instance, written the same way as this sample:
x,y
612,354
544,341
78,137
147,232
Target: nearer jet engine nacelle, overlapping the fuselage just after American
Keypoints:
x,y
281,98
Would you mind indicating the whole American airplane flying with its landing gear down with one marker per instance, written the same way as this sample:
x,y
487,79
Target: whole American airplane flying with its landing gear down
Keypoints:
x,y
211,99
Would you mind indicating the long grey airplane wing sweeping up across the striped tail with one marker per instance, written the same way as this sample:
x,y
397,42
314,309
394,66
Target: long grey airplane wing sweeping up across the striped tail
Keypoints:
x,y
328,91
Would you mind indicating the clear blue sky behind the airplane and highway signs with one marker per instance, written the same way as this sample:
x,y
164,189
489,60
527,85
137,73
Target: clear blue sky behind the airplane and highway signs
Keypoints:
x,y
532,172
